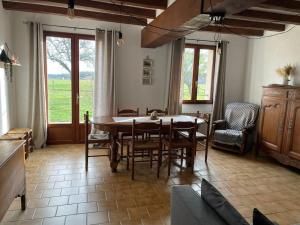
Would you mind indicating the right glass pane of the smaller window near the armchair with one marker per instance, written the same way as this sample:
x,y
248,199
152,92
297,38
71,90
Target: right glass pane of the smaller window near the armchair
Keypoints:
x,y
206,58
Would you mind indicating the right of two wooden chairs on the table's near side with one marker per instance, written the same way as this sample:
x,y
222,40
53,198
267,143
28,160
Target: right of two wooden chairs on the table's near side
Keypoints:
x,y
186,146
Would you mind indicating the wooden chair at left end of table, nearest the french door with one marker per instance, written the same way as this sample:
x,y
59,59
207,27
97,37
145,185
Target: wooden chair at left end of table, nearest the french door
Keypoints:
x,y
101,139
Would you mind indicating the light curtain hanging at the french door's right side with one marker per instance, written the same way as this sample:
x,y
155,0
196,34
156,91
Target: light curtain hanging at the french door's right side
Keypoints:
x,y
104,94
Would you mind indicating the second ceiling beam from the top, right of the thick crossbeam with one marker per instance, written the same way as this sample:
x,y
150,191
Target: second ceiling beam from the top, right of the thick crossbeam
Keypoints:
x,y
265,16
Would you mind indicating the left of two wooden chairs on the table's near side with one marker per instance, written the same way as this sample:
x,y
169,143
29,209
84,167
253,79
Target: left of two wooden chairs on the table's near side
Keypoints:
x,y
139,147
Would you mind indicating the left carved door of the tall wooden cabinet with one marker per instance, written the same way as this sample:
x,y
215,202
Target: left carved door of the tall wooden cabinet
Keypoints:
x,y
272,123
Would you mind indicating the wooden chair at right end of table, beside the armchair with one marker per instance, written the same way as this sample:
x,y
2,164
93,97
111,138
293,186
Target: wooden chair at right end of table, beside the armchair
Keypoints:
x,y
202,138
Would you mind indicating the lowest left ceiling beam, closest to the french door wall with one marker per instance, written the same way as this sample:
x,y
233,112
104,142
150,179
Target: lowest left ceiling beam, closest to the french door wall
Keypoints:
x,y
17,6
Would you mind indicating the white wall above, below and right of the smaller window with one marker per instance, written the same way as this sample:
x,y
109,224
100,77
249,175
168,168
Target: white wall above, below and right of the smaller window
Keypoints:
x,y
235,68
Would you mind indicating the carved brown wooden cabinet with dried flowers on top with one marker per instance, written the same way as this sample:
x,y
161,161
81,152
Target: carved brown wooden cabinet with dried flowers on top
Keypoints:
x,y
279,133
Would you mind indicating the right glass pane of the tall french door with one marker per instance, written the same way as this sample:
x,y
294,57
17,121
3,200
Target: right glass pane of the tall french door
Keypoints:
x,y
86,76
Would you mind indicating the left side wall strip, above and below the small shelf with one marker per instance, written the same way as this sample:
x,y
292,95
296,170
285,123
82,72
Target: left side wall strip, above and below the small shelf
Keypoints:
x,y
7,118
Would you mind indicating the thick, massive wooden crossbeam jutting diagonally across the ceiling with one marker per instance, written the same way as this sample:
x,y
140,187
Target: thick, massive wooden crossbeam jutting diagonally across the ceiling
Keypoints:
x,y
183,14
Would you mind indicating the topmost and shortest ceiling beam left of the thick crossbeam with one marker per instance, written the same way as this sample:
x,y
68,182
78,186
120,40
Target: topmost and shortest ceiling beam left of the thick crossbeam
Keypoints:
x,y
152,4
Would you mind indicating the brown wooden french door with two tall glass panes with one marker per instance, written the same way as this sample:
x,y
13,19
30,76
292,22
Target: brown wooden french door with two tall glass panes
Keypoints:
x,y
70,70
